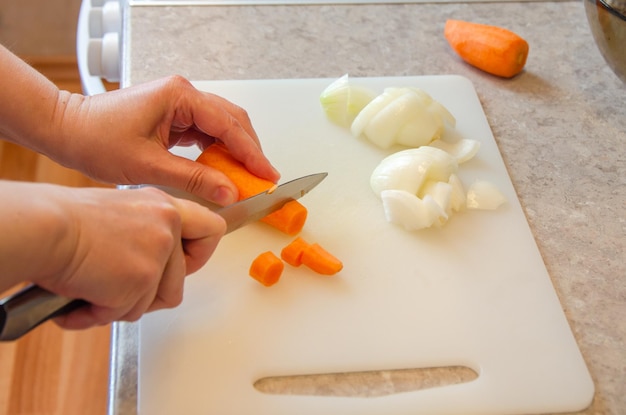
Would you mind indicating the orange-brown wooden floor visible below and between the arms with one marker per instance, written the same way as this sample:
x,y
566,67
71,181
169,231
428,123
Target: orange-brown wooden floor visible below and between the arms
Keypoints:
x,y
51,371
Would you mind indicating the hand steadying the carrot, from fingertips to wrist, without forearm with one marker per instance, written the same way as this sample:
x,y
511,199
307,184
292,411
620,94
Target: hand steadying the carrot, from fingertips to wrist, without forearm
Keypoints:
x,y
123,137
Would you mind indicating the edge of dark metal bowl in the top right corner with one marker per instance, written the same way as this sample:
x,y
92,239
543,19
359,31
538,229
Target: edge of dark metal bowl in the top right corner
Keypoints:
x,y
607,19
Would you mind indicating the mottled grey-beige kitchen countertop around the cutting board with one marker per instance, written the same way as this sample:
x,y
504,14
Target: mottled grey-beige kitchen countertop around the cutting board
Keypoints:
x,y
560,126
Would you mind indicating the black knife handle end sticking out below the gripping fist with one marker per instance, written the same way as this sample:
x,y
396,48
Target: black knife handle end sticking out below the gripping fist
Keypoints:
x,y
23,311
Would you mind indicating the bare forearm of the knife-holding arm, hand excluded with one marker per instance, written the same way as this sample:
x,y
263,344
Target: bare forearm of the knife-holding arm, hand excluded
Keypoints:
x,y
33,231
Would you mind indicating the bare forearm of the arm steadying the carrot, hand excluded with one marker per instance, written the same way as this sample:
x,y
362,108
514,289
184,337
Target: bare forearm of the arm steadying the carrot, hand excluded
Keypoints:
x,y
33,110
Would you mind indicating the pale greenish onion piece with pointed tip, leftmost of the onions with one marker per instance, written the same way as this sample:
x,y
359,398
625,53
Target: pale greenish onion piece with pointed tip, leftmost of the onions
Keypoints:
x,y
342,101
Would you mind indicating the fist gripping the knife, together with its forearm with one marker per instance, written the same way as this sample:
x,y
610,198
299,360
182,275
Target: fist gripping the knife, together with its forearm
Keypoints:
x,y
126,252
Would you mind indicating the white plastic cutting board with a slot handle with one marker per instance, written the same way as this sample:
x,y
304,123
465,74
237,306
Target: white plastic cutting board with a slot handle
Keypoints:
x,y
474,293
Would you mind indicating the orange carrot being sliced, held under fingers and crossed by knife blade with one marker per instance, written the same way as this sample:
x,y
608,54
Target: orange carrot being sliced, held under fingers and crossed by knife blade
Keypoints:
x,y
289,219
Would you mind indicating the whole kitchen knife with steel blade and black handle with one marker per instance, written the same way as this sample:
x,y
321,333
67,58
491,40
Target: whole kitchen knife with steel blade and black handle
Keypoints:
x,y
23,311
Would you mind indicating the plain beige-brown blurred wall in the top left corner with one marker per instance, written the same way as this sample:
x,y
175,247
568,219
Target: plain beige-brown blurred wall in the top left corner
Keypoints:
x,y
39,27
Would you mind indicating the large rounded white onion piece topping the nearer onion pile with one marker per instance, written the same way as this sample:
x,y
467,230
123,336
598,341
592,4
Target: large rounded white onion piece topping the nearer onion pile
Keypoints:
x,y
408,169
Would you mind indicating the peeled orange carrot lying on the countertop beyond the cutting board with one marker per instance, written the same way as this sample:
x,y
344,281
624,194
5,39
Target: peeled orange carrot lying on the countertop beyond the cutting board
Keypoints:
x,y
493,49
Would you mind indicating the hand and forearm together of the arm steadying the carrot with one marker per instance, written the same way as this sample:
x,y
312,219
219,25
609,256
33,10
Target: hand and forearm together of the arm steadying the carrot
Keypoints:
x,y
123,136
